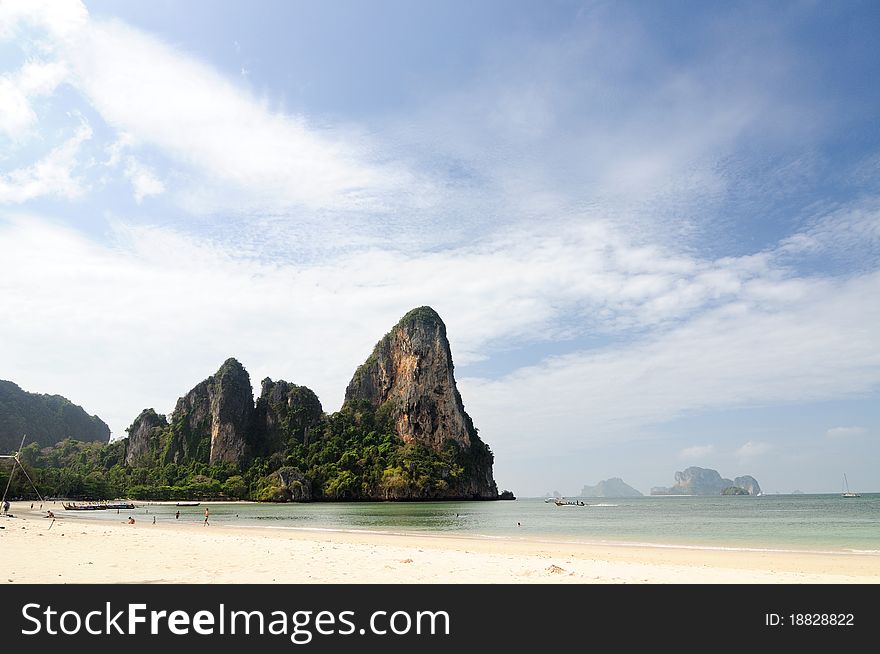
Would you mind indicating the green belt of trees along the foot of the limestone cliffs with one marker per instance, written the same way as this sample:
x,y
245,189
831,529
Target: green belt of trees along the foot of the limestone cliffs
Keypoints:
x,y
353,455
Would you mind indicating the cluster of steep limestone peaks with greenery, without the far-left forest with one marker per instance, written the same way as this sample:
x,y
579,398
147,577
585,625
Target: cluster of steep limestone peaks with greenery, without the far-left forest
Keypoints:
x,y
402,433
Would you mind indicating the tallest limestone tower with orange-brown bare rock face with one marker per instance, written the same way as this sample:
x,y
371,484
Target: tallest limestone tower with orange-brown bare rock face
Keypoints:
x,y
409,379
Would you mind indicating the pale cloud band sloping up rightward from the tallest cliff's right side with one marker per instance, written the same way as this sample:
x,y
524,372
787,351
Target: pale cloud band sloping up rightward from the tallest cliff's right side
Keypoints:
x,y
747,352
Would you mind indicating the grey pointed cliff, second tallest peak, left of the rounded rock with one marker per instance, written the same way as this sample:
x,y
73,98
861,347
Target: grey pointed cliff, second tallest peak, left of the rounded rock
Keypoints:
x,y
212,421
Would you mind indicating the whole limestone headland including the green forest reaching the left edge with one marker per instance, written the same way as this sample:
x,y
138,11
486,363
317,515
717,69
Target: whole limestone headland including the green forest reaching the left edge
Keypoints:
x,y
401,434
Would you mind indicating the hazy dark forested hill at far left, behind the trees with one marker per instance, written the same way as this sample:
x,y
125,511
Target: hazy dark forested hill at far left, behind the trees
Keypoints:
x,y
44,419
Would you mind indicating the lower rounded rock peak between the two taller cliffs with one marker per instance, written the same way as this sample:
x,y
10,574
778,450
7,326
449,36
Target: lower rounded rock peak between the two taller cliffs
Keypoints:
x,y
285,412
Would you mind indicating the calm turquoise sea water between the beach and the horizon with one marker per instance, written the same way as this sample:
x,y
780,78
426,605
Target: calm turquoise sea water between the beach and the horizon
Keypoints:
x,y
799,522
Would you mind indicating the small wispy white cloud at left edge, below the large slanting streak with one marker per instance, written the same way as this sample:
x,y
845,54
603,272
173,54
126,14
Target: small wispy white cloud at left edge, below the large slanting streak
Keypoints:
x,y
53,175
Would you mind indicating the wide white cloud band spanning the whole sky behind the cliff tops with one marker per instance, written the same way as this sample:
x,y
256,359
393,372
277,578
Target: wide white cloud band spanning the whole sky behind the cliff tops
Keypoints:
x,y
172,309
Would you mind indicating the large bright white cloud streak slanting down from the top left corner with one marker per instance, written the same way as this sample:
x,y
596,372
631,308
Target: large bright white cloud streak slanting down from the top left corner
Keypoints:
x,y
238,152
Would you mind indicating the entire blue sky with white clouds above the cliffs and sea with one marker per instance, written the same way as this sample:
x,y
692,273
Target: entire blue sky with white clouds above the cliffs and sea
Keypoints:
x,y
652,229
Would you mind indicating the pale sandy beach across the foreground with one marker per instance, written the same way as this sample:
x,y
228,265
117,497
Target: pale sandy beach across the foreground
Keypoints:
x,y
77,550
